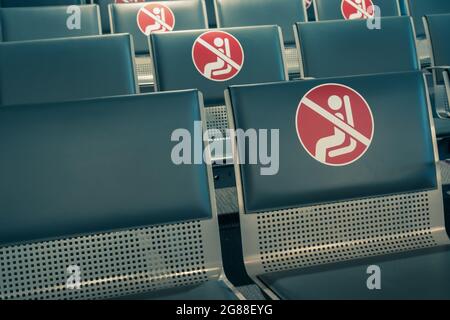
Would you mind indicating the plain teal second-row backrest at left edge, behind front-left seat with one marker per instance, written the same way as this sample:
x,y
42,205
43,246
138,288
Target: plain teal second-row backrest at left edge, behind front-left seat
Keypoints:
x,y
66,69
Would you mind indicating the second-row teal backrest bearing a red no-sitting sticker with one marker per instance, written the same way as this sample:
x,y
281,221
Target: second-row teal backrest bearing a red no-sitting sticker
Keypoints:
x,y
257,50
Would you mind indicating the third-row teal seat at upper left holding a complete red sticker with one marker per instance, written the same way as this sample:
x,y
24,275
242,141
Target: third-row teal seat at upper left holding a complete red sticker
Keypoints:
x,y
188,14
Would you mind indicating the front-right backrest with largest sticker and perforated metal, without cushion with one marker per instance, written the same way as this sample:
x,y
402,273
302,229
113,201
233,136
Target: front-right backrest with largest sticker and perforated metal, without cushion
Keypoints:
x,y
314,211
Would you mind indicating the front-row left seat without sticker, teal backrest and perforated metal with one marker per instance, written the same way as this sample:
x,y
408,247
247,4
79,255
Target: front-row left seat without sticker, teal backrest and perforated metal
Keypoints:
x,y
87,194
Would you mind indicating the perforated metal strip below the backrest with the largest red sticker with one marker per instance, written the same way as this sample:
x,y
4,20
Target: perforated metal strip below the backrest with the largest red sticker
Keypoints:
x,y
309,236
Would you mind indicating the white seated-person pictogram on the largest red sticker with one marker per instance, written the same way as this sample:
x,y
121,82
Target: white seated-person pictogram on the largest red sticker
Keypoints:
x,y
323,146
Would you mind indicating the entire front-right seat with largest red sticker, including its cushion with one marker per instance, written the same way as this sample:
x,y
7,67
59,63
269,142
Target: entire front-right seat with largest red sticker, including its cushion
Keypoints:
x,y
312,230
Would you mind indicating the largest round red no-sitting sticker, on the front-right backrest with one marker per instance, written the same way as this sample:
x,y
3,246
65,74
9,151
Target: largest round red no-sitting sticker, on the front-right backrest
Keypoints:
x,y
334,124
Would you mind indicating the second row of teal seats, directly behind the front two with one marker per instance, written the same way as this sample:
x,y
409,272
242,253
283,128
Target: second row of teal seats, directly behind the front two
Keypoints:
x,y
391,49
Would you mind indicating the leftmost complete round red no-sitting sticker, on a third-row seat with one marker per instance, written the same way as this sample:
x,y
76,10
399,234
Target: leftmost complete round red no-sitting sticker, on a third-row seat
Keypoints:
x,y
155,17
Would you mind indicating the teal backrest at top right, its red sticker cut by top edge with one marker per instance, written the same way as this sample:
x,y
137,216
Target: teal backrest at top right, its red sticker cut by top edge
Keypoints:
x,y
337,9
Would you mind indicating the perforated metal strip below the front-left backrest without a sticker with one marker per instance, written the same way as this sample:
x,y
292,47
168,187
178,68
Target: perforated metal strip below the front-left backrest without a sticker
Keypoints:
x,y
112,264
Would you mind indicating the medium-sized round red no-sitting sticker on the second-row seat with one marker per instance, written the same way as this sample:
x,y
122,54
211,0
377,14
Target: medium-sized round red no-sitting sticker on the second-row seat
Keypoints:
x,y
217,55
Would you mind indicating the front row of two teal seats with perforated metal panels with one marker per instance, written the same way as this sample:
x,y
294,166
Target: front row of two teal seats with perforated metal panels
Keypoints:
x,y
89,184
